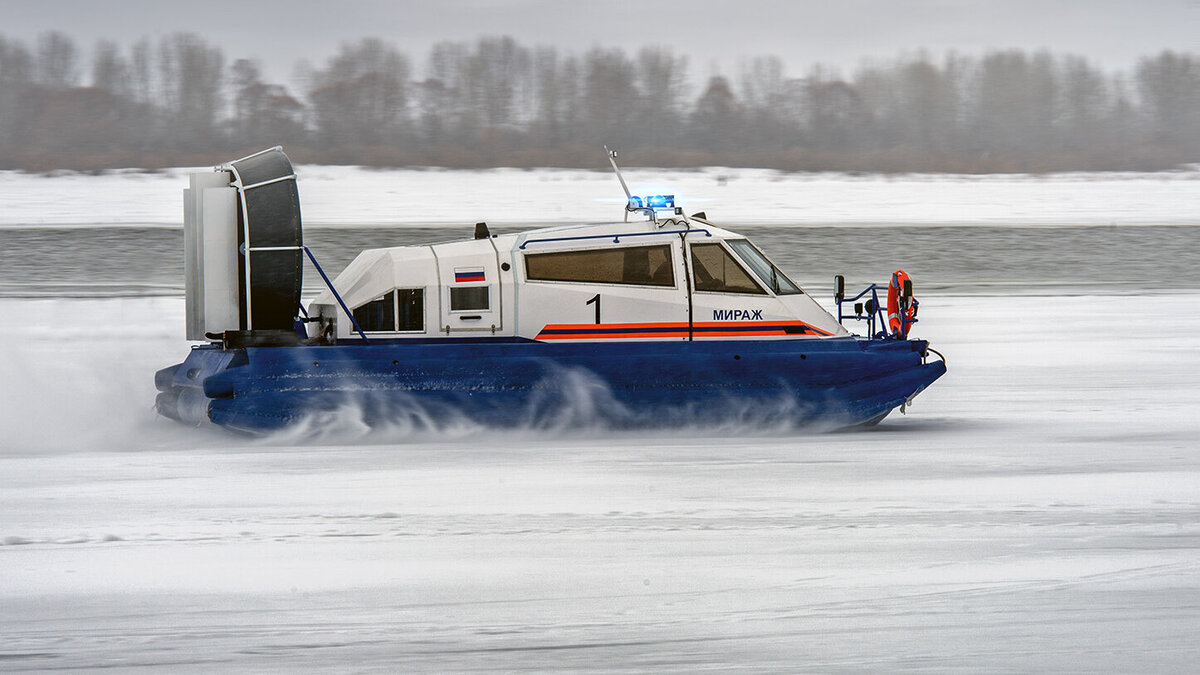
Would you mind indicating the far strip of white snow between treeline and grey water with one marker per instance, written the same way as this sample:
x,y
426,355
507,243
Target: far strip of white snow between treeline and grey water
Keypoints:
x,y
339,196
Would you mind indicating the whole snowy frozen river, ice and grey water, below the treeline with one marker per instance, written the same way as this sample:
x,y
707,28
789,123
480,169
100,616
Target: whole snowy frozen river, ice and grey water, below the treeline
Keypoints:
x,y
1037,511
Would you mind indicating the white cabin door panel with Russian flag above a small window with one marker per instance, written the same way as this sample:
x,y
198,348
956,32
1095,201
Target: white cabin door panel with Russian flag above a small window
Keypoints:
x,y
470,288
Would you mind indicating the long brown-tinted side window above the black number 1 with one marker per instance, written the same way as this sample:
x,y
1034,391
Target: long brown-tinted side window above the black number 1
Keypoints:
x,y
640,266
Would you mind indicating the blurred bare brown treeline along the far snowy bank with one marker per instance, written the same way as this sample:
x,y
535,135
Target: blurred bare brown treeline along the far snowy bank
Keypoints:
x,y
495,103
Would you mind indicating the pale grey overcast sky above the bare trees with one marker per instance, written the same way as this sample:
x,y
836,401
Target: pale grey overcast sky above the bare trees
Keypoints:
x,y
716,34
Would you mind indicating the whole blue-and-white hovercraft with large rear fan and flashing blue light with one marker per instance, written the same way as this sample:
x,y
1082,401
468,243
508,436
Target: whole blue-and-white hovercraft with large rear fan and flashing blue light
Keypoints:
x,y
665,320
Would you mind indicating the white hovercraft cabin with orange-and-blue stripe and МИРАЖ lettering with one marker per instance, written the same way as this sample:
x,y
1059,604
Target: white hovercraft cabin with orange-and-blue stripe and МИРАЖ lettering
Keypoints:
x,y
586,283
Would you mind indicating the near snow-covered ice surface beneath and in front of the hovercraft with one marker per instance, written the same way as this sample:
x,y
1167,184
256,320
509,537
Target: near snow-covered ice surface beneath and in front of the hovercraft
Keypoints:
x,y
1037,511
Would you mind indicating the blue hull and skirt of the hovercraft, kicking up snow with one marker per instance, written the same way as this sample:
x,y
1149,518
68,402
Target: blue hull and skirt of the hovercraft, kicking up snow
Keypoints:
x,y
833,384
